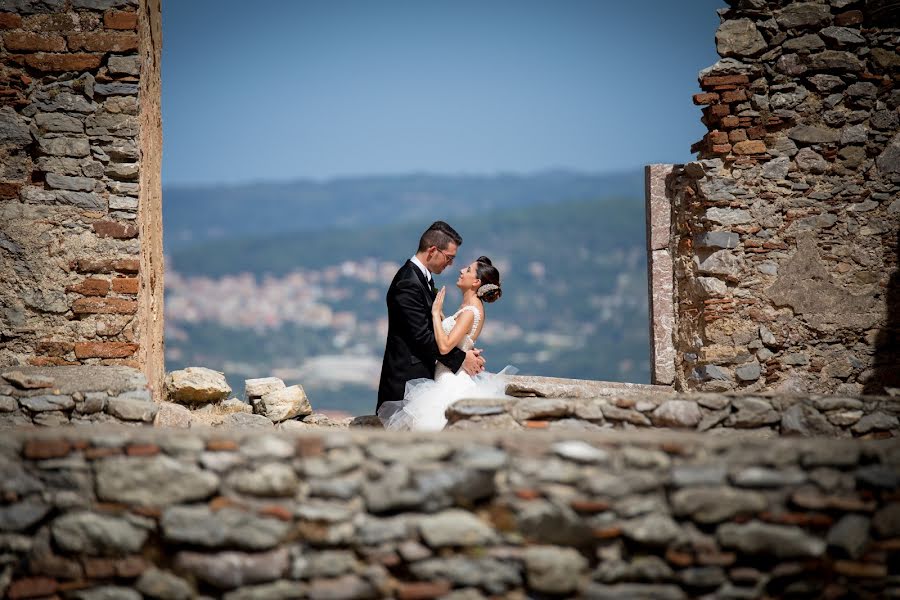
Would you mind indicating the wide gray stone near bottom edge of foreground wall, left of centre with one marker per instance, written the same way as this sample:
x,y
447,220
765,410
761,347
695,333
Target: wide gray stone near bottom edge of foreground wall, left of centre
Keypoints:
x,y
229,570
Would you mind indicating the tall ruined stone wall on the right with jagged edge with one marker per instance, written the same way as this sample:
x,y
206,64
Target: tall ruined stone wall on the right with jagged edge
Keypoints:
x,y
785,232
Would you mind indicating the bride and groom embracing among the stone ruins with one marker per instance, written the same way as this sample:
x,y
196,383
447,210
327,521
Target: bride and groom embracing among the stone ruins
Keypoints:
x,y
430,361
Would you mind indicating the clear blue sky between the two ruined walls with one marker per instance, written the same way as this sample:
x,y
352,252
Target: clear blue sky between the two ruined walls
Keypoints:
x,y
280,90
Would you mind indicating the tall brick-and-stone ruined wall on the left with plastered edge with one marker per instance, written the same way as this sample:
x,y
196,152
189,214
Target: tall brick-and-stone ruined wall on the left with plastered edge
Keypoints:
x,y
80,230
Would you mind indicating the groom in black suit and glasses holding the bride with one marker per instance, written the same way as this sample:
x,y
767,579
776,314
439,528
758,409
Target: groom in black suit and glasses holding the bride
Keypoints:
x,y
411,350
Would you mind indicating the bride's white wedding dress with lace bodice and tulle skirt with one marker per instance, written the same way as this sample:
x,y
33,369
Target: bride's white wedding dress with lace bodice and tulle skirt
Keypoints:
x,y
426,400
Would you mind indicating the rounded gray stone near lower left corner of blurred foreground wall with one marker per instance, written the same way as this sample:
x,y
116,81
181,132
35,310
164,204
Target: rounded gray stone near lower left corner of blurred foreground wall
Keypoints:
x,y
96,535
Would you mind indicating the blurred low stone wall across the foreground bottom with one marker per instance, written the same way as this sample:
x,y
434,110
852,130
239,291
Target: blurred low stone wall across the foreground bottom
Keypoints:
x,y
133,513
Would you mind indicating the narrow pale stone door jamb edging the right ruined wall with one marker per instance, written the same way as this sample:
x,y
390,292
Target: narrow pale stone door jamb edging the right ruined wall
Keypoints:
x,y
659,274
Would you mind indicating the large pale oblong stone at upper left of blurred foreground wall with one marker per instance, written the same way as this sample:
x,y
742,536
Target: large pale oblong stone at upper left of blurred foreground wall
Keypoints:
x,y
155,481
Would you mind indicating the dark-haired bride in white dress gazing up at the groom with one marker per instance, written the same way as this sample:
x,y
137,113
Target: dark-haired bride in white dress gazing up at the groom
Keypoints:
x,y
426,400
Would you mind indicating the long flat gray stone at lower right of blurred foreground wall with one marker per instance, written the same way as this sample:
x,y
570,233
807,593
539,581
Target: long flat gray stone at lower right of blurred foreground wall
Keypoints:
x,y
774,540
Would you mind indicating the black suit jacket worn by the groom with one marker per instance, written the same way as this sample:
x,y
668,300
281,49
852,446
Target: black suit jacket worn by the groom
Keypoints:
x,y
411,350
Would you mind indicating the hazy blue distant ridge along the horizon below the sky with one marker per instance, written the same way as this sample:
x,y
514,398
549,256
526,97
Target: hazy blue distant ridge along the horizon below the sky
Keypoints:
x,y
194,215
